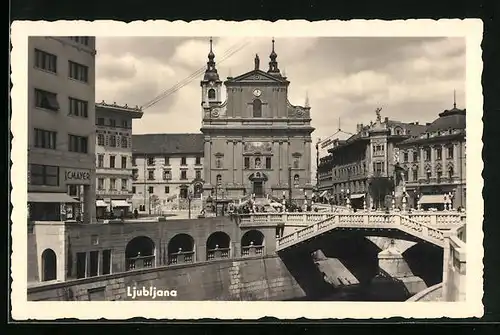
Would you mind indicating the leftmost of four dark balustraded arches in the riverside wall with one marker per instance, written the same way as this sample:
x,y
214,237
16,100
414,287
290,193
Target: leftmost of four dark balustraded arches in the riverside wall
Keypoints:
x,y
140,253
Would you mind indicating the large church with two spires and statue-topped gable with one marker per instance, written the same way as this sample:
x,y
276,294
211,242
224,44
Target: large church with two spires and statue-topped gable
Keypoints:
x,y
255,142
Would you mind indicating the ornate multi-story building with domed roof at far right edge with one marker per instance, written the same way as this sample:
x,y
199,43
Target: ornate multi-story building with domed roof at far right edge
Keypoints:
x,y
435,162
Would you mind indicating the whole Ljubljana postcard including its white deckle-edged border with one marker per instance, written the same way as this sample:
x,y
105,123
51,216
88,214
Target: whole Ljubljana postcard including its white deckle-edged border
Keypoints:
x,y
296,164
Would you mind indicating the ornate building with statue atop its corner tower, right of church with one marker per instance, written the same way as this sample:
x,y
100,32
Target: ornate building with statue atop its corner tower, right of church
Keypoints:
x,y
353,164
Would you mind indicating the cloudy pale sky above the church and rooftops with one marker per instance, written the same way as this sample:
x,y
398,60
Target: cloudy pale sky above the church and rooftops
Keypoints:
x,y
346,78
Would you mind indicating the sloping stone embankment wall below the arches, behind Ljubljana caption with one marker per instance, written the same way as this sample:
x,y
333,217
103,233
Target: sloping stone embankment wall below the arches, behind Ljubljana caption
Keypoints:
x,y
260,278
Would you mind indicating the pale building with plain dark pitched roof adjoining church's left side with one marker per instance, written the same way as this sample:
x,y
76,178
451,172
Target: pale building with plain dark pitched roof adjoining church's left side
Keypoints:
x,y
167,171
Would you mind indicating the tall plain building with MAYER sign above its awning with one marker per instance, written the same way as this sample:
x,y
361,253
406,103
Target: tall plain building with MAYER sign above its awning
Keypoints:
x,y
61,128
